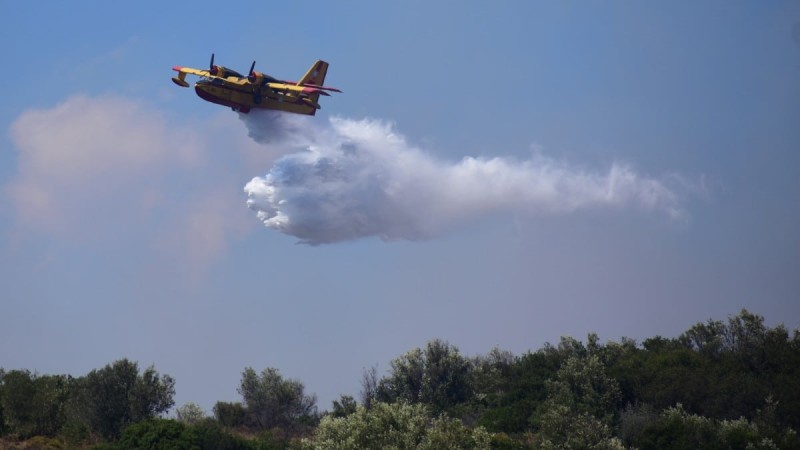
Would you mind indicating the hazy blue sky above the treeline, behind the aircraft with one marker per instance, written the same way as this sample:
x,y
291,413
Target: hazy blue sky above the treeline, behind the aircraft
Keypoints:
x,y
125,230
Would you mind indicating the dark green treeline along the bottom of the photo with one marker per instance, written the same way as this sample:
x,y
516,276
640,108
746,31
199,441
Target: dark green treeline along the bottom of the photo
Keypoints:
x,y
731,384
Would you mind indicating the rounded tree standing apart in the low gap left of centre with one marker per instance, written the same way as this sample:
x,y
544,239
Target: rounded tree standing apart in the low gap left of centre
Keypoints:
x,y
274,402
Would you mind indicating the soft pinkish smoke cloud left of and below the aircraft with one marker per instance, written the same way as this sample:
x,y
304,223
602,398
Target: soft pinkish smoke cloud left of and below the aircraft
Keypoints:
x,y
91,156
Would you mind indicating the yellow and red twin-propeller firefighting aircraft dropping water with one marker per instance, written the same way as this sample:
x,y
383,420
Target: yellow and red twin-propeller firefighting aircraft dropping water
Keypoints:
x,y
227,87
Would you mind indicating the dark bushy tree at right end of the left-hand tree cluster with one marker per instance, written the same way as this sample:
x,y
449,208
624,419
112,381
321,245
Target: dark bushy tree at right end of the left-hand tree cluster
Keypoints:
x,y
117,395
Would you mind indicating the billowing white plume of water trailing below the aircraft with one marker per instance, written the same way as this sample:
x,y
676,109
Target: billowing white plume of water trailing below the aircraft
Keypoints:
x,y
360,178
